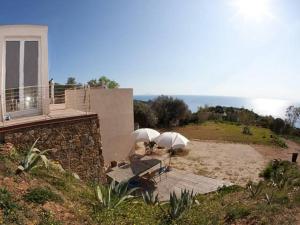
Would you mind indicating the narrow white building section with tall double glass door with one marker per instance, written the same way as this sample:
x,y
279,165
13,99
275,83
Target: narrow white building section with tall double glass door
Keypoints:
x,y
24,85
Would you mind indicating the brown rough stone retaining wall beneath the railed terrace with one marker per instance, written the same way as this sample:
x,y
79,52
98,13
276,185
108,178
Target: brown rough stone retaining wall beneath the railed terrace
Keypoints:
x,y
75,141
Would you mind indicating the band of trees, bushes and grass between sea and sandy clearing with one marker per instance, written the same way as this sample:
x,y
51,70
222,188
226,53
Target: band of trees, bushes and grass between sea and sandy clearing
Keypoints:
x,y
167,112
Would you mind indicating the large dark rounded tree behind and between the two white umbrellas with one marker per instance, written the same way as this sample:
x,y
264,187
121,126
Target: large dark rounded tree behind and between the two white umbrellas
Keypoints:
x,y
170,111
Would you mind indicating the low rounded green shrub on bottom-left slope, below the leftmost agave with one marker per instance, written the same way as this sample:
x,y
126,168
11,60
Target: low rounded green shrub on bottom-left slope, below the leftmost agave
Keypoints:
x,y
41,195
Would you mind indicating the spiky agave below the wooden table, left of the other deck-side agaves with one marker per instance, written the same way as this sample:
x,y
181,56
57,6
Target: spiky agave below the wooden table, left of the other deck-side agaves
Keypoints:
x,y
114,194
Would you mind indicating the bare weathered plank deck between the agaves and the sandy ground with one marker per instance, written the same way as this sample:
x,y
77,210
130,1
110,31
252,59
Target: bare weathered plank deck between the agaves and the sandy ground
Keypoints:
x,y
177,180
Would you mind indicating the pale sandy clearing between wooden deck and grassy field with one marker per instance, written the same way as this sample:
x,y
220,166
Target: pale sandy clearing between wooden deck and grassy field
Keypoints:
x,y
237,163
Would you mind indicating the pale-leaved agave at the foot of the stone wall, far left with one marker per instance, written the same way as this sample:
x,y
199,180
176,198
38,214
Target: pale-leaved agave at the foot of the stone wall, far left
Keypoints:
x,y
32,158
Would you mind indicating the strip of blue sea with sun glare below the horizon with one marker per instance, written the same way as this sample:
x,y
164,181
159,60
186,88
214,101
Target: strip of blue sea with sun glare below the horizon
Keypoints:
x,y
261,106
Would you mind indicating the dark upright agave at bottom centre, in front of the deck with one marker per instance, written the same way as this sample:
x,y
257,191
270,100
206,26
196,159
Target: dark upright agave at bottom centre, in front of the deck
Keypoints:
x,y
178,205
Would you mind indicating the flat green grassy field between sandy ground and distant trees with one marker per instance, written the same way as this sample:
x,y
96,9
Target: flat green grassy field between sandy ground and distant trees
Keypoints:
x,y
229,132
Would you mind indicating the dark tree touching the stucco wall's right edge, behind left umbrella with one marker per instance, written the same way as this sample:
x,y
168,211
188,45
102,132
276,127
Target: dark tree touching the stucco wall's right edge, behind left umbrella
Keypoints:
x,y
144,116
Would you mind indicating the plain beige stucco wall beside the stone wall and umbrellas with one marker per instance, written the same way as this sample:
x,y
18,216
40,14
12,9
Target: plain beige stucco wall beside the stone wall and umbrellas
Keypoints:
x,y
115,111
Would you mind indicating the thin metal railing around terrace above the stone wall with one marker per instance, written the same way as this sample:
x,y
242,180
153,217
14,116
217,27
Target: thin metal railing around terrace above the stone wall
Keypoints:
x,y
39,100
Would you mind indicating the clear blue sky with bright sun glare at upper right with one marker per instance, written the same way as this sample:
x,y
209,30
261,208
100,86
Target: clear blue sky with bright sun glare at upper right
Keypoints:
x,y
209,47
